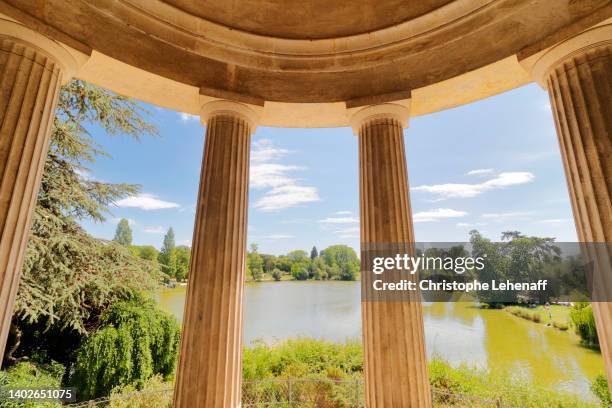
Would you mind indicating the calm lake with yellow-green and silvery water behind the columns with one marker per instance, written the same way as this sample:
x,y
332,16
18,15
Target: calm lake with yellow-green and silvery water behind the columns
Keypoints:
x,y
458,332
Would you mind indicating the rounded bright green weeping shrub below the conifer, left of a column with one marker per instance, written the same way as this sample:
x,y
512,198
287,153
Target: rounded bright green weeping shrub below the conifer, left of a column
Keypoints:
x,y
136,341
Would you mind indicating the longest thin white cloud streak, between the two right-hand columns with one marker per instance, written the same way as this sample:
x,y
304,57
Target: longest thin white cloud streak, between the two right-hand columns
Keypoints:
x,y
452,190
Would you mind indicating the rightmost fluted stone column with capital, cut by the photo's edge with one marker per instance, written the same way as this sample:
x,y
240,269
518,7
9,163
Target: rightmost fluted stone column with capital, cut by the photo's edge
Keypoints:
x,y
578,76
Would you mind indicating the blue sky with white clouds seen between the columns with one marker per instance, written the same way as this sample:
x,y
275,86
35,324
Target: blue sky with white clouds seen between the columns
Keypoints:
x,y
492,165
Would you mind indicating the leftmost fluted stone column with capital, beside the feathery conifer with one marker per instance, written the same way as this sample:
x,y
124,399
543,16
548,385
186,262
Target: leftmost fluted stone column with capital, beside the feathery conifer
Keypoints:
x,y
32,68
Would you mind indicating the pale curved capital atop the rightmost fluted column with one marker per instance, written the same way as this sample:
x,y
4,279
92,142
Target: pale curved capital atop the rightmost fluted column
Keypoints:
x,y
540,65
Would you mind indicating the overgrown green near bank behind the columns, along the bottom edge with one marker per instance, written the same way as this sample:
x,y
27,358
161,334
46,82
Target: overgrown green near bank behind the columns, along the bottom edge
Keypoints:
x,y
331,375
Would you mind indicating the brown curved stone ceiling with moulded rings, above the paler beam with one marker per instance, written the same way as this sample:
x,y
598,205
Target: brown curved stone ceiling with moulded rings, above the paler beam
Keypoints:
x,y
309,51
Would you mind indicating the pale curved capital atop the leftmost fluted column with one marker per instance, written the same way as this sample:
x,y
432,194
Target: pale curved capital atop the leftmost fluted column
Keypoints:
x,y
67,59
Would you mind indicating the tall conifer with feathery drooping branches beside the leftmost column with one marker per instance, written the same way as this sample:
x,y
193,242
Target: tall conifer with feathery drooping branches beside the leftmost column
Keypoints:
x,y
69,277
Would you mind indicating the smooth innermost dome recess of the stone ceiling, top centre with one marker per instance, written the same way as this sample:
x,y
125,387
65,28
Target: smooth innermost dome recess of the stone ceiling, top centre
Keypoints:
x,y
313,19
